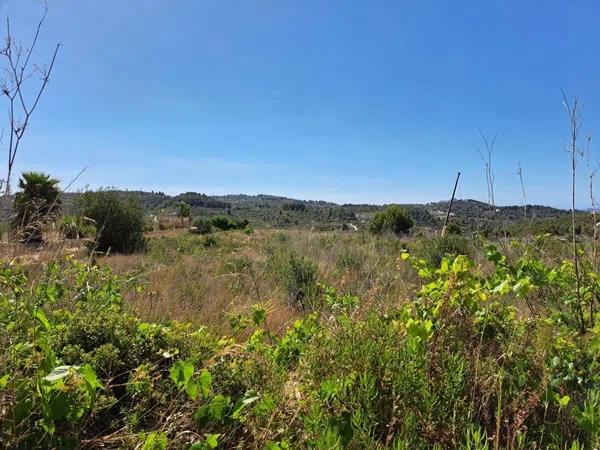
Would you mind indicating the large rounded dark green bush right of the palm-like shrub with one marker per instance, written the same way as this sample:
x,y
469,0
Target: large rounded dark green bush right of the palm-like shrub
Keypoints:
x,y
119,221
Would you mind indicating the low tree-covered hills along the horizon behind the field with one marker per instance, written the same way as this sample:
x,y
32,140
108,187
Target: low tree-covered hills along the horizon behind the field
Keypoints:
x,y
281,212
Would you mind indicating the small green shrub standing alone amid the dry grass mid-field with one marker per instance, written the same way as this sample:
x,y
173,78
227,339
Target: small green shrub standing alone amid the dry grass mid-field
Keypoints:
x,y
300,277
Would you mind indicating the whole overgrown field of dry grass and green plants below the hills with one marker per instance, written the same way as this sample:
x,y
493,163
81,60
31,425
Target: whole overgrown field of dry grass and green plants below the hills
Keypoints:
x,y
263,338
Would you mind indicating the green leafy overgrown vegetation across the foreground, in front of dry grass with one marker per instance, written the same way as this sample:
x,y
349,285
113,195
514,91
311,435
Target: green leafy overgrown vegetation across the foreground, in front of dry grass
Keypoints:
x,y
486,355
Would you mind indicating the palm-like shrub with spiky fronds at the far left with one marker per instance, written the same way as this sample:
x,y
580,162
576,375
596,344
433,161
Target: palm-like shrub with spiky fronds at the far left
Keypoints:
x,y
36,203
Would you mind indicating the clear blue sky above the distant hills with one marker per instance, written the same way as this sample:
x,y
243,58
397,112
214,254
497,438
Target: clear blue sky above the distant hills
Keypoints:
x,y
368,101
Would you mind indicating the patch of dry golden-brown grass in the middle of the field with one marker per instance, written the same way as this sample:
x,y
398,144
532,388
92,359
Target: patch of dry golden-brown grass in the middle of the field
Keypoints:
x,y
185,280
